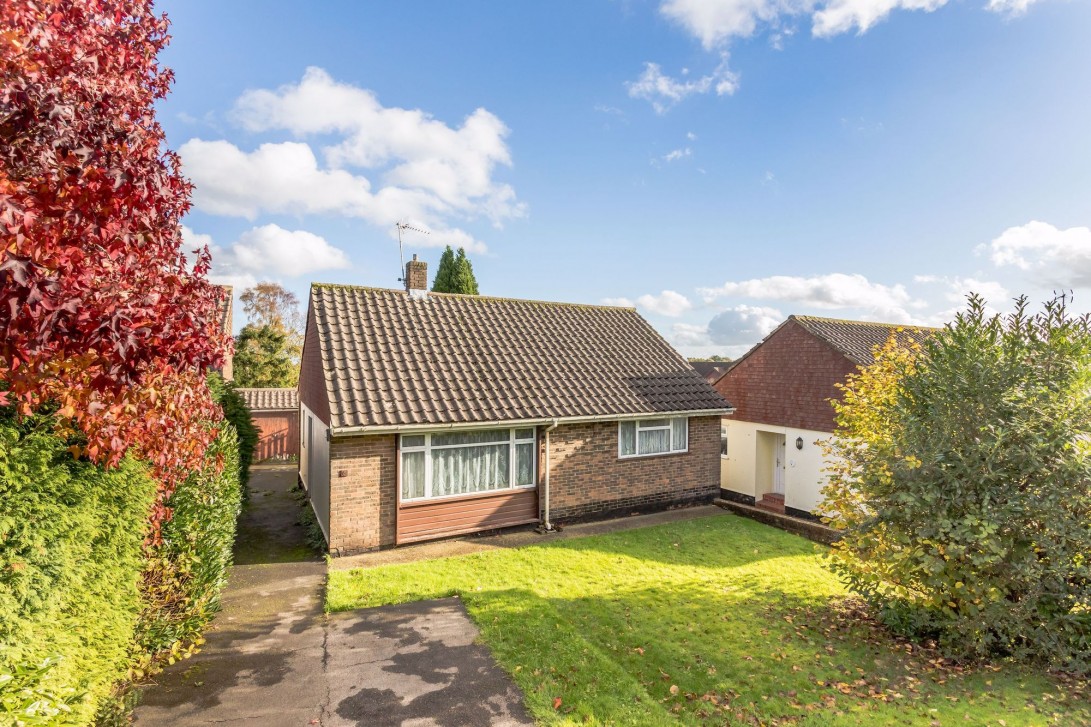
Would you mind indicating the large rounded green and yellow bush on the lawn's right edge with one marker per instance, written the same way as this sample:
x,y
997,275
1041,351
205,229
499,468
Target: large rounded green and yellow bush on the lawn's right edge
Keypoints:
x,y
961,480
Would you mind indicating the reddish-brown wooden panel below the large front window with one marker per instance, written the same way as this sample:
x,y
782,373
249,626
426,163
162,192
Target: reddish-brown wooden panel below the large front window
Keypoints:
x,y
438,519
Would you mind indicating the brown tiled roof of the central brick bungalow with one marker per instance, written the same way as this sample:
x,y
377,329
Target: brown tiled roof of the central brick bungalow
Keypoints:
x,y
390,360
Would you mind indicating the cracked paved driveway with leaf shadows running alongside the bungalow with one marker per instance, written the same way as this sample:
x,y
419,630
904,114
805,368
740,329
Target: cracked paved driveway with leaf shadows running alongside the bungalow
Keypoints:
x,y
273,657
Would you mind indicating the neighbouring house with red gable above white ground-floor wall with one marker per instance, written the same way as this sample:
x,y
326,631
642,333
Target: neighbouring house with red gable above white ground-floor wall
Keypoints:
x,y
782,390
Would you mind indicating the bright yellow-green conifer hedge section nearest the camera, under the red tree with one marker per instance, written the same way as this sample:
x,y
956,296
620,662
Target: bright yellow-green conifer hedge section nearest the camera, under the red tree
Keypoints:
x,y
70,564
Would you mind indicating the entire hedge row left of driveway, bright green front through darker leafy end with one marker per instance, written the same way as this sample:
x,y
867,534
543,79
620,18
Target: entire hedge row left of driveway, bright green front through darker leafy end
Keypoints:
x,y
86,607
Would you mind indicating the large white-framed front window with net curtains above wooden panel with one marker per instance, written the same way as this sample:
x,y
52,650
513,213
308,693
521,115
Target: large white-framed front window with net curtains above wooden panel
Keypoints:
x,y
466,462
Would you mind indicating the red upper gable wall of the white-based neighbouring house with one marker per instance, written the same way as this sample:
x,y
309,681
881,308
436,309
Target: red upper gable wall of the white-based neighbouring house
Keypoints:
x,y
788,382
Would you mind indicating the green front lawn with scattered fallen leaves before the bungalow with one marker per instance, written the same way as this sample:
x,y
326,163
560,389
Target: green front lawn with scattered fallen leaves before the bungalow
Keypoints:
x,y
708,622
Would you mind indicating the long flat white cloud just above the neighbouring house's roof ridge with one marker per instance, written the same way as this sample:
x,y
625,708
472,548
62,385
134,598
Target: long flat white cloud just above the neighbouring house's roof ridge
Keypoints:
x,y
835,291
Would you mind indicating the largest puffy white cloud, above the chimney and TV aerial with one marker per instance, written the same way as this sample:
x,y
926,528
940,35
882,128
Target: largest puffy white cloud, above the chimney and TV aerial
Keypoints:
x,y
425,172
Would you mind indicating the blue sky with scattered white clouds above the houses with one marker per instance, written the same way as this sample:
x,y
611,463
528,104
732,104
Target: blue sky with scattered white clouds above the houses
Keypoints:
x,y
720,164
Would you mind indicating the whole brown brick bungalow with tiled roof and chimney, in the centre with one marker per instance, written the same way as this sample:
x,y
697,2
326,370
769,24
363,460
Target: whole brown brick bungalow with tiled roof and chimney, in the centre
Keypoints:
x,y
429,415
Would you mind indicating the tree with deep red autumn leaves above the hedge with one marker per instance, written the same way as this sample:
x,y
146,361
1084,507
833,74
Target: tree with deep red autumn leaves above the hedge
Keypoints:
x,y
102,316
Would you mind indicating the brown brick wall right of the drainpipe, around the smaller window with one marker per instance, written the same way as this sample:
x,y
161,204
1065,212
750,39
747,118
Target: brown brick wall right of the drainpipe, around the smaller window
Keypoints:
x,y
590,480
